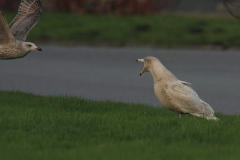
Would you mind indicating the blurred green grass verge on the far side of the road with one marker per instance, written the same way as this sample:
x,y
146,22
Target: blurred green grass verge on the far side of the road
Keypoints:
x,y
156,30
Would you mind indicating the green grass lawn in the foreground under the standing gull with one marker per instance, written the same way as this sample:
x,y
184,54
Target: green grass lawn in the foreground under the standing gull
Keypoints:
x,y
37,127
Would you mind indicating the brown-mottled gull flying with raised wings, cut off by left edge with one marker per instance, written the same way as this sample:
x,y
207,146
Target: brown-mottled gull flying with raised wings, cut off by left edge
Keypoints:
x,y
13,37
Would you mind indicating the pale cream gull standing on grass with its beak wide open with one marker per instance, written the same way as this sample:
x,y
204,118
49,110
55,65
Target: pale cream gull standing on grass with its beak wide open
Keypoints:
x,y
174,94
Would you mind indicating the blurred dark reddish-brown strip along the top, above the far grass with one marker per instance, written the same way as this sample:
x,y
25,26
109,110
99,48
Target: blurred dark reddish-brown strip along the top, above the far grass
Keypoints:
x,y
124,6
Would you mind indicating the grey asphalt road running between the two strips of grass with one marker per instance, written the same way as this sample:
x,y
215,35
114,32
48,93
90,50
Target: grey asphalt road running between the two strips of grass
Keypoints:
x,y
112,74
